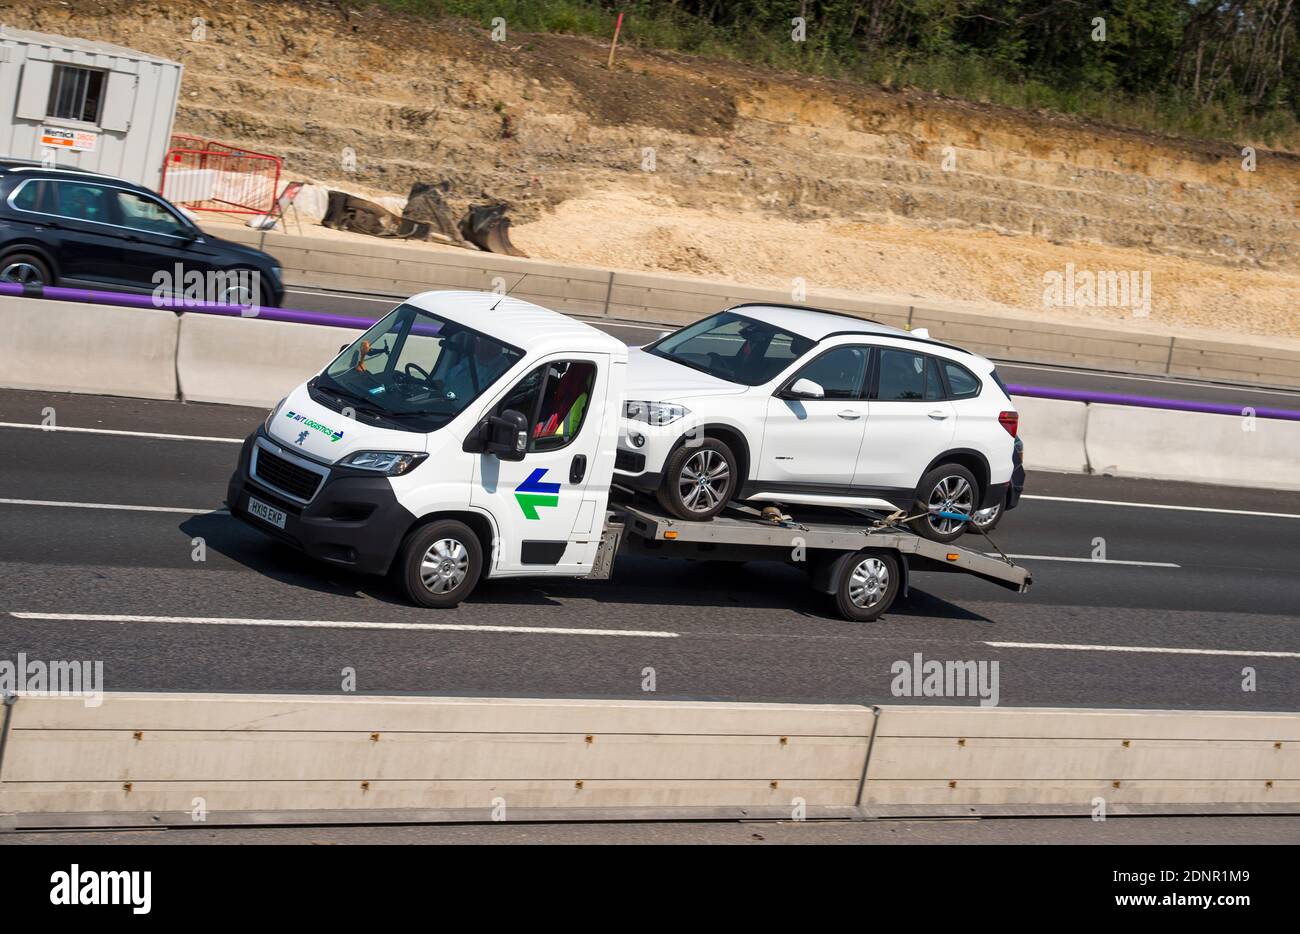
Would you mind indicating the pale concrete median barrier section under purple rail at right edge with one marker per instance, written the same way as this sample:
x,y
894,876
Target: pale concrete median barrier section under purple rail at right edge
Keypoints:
x,y
1194,447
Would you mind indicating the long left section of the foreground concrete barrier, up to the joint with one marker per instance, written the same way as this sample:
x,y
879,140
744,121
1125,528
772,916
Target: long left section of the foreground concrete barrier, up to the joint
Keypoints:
x,y
149,758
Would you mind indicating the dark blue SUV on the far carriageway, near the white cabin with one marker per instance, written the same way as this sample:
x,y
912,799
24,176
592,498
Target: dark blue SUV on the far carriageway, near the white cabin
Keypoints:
x,y
64,227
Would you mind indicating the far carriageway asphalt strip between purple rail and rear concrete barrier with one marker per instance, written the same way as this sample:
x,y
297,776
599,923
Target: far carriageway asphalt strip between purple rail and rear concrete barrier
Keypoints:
x,y
1029,375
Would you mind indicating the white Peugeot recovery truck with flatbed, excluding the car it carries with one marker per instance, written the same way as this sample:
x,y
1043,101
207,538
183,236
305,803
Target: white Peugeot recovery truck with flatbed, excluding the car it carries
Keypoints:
x,y
469,436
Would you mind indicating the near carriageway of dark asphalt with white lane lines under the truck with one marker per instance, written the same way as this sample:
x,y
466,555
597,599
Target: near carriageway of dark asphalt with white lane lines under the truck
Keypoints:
x,y
1186,600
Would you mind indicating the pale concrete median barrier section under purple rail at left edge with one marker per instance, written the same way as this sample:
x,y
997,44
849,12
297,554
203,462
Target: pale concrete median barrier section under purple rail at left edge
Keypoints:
x,y
88,349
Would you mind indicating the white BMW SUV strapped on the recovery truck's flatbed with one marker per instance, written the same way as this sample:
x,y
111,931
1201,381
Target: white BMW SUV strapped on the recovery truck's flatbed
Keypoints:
x,y
791,405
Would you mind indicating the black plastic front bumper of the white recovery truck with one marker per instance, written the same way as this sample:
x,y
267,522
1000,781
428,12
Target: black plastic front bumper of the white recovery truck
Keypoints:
x,y
354,521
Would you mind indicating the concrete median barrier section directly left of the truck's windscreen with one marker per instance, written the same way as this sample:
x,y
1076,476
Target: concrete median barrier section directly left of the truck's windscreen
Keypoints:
x,y
250,362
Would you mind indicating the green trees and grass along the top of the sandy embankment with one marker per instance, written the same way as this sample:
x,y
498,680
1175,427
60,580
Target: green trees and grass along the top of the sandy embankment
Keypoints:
x,y
1221,70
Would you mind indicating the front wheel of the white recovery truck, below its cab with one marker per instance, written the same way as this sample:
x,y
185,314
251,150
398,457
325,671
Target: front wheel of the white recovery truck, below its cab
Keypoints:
x,y
440,564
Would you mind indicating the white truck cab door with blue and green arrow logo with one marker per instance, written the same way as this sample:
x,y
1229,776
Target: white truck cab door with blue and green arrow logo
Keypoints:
x,y
551,505
